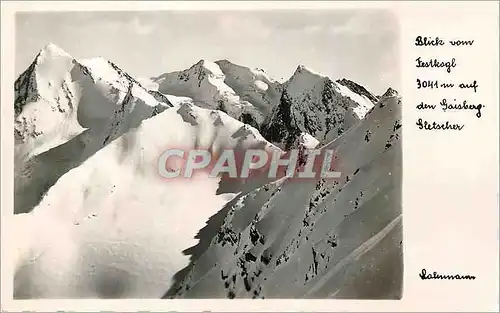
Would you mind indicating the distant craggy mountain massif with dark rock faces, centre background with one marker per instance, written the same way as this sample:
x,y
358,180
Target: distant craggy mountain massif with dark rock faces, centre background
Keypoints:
x,y
307,103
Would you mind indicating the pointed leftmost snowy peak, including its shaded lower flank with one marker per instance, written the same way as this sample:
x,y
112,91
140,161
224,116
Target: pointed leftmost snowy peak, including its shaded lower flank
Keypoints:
x,y
66,110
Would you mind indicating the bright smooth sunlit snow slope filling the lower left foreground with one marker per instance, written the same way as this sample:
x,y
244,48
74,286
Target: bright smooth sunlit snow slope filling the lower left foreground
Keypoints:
x,y
112,227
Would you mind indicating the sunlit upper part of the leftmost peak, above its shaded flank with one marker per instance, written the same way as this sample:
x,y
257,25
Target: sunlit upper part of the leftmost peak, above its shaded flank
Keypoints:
x,y
56,87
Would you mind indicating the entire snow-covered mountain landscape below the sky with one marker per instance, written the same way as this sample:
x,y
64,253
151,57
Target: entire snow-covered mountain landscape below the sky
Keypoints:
x,y
95,219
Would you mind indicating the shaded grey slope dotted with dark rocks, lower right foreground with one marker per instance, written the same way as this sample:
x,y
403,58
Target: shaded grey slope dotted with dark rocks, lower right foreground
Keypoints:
x,y
317,238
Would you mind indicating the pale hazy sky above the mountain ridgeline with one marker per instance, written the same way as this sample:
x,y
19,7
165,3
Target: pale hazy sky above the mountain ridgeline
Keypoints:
x,y
361,45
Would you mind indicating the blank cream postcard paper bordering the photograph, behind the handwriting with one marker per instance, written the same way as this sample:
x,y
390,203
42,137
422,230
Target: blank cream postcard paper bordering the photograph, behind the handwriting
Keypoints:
x,y
450,180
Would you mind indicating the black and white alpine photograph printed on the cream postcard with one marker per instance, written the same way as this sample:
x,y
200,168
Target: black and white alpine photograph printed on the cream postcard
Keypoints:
x,y
211,154
